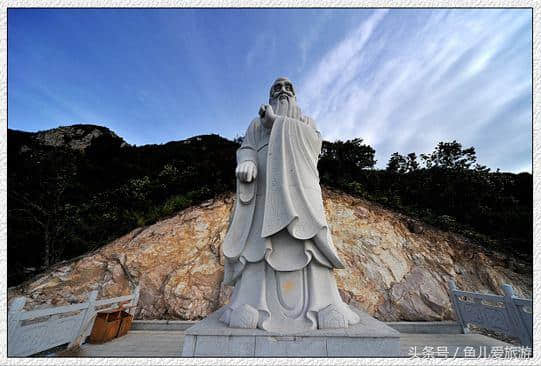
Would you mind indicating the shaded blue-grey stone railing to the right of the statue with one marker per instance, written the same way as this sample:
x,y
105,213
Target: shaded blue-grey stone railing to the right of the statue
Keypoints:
x,y
506,314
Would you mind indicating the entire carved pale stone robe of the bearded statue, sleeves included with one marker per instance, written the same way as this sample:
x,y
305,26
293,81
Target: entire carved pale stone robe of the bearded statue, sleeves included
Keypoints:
x,y
278,249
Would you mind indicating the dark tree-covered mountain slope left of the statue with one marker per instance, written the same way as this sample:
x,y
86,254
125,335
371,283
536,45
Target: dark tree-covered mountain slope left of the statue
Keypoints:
x,y
73,189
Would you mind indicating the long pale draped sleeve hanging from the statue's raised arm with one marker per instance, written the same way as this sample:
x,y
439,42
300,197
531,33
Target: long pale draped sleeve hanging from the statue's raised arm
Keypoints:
x,y
293,197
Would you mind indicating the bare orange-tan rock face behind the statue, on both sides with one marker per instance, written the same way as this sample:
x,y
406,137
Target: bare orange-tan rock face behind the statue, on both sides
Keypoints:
x,y
397,269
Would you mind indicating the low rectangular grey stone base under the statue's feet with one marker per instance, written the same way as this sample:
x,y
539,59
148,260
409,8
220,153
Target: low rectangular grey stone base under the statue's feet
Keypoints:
x,y
368,338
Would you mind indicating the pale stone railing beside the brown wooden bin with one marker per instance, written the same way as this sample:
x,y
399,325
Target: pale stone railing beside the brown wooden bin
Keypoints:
x,y
34,331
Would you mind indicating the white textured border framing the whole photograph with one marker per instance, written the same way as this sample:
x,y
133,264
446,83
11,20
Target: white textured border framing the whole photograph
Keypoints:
x,y
258,3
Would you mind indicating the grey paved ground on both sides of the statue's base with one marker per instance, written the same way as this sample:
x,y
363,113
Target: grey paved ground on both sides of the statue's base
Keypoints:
x,y
145,343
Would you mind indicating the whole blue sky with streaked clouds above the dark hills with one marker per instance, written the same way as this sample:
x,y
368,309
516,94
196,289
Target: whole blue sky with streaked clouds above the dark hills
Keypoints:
x,y
401,79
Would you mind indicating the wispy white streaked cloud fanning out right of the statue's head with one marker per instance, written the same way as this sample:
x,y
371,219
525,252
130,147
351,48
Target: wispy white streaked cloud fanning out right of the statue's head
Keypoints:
x,y
404,83
